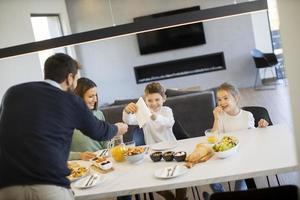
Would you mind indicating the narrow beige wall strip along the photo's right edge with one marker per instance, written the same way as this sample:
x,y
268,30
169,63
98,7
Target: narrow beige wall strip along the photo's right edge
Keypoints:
x,y
289,17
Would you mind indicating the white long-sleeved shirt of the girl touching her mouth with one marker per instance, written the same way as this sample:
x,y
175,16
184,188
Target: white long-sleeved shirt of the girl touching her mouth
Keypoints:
x,y
228,123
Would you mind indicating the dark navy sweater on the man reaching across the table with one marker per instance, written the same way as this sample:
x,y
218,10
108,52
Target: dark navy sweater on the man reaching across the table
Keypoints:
x,y
36,126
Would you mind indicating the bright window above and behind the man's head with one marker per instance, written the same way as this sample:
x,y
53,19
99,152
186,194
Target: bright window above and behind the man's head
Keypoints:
x,y
47,26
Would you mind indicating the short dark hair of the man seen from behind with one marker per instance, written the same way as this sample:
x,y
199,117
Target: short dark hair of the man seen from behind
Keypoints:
x,y
58,66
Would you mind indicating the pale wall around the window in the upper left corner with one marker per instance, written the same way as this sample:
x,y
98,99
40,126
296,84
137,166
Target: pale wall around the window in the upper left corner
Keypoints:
x,y
15,29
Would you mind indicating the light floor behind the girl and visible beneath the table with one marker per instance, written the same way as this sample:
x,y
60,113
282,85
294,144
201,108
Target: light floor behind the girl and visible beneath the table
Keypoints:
x,y
277,102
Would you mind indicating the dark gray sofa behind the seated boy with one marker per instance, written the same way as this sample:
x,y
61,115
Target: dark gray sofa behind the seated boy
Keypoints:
x,y
192,110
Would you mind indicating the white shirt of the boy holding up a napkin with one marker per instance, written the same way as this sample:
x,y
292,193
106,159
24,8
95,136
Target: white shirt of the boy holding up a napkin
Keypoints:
x,y
158,130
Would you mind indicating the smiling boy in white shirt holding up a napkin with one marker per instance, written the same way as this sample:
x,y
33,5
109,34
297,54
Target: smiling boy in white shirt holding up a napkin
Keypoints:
x,y
159,128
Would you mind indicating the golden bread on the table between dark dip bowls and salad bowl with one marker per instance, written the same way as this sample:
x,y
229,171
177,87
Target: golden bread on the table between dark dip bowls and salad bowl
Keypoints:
x,y
201,153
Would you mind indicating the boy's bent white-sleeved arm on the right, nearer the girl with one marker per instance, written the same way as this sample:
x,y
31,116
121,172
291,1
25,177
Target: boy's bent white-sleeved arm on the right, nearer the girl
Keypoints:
x,y
166,118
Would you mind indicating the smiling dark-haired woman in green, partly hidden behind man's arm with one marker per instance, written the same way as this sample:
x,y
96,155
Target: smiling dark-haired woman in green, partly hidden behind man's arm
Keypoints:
x,y
82,147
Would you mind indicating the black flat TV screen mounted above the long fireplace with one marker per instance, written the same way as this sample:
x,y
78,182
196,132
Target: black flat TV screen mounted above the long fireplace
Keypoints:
x,y
170,38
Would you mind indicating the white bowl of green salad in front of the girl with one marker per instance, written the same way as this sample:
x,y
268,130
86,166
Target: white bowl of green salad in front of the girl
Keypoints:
x,y
226,147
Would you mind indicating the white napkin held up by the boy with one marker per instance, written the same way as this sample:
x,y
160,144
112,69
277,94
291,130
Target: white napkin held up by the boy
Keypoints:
x,y
143,114
